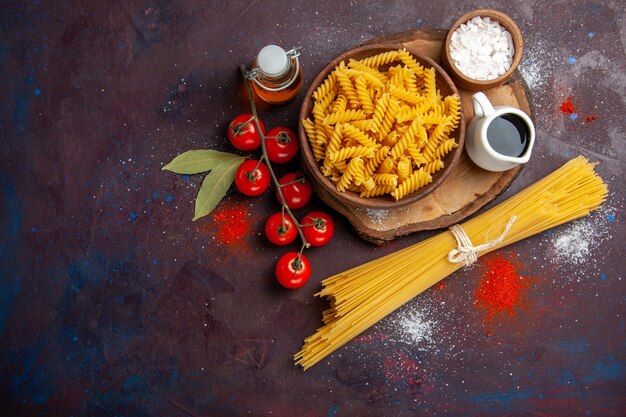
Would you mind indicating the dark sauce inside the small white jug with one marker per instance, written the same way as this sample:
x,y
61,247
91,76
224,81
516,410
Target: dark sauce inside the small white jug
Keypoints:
x,y
508,135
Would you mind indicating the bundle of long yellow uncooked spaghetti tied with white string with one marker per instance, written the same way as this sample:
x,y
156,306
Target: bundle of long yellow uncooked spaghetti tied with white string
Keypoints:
x,y
363,295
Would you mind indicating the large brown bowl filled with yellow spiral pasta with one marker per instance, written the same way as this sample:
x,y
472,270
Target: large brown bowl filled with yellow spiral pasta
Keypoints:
x,y
380,127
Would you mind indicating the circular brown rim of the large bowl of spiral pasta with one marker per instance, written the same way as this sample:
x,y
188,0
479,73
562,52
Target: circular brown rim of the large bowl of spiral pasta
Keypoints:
x,y
384,202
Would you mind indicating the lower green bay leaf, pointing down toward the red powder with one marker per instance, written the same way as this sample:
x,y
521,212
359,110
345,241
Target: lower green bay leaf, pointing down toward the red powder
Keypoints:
x,y
215,185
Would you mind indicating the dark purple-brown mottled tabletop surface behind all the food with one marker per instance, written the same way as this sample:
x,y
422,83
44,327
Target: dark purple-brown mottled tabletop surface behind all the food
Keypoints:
x,y
113,303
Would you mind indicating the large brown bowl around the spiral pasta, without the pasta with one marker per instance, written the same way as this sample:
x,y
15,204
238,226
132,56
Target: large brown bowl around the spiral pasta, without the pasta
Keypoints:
x,y
312,167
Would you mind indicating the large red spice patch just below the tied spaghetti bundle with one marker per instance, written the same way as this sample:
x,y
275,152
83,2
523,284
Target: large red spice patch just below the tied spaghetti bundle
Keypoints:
x,y
501,288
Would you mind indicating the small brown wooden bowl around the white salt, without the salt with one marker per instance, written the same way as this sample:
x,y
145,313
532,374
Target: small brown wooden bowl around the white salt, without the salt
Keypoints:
x,y
463,81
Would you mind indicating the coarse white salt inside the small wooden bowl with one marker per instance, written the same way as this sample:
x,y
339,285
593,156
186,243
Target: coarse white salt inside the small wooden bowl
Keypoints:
x,y
482,49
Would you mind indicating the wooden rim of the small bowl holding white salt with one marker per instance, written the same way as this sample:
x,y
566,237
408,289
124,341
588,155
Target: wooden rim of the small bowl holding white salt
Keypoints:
x,y
508,23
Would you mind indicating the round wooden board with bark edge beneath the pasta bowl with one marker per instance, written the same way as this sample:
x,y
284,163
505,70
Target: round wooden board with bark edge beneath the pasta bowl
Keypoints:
x,y
466,189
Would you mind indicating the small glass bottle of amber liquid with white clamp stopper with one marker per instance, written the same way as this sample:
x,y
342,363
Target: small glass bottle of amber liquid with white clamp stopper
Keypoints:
x,y
276,75
